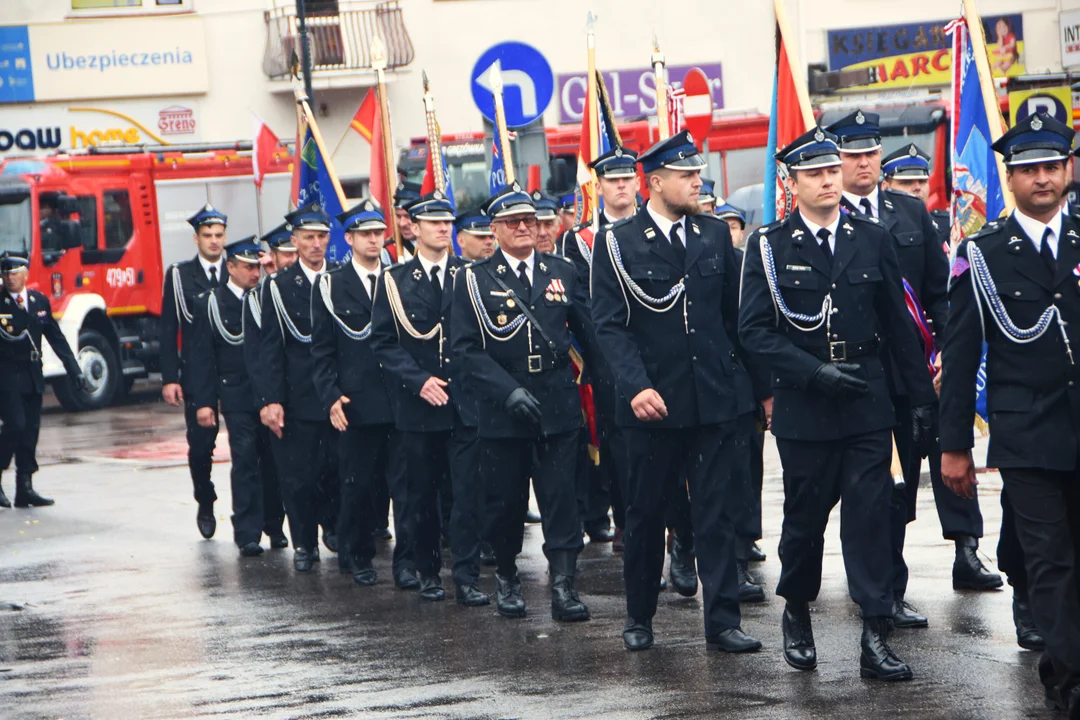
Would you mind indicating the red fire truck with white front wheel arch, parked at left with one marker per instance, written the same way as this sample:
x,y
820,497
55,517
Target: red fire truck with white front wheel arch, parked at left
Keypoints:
x,y
101,227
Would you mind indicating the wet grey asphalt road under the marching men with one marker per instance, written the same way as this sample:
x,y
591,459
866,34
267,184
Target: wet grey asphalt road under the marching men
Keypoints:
x,y
112,606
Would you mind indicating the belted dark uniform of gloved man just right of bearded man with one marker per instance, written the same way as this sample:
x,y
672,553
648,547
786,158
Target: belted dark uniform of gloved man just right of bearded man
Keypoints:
x,y
831,451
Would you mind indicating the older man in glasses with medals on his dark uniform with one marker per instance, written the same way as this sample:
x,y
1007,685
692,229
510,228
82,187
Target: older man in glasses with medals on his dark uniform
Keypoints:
x,y
512,319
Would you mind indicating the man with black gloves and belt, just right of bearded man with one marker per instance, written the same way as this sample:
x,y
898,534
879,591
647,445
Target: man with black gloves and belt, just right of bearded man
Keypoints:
x,y
820,289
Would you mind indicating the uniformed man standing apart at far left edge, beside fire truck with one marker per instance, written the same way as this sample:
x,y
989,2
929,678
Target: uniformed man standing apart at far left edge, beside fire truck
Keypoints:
x,y
25,317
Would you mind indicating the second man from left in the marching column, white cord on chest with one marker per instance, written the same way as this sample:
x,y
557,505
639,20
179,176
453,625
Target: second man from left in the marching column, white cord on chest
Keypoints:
x,y
220,378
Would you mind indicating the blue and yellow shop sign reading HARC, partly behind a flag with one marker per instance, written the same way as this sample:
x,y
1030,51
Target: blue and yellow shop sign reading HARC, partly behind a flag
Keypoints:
x,y
919,53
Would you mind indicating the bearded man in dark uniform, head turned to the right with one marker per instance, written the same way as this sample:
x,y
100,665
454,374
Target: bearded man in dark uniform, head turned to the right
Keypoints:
x,y
666,297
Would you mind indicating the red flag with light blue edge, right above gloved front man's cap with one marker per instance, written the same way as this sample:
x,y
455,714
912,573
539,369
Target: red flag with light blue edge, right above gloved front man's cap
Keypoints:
x,y
791,117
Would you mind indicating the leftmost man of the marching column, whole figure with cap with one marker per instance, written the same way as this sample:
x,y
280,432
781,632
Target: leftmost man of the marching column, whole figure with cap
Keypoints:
x,y
184,281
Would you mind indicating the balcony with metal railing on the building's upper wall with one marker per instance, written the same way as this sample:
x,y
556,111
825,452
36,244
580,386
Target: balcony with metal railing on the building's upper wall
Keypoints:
x,y
341,42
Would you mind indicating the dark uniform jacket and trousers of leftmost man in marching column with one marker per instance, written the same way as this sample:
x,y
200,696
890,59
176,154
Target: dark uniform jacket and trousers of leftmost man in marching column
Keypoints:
x,y
175,328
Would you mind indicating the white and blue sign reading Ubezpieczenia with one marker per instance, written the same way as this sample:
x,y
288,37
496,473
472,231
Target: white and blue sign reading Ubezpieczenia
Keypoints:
x,y
103,59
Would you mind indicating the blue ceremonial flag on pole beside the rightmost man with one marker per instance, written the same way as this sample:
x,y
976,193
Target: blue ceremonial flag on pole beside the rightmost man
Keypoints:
x,y
978,194
